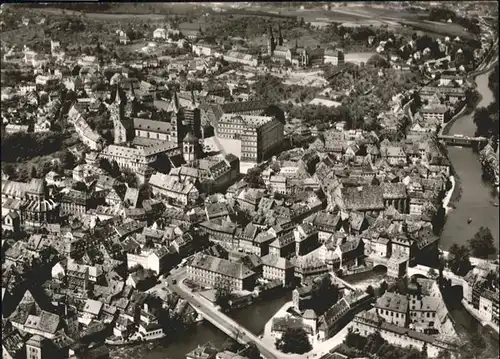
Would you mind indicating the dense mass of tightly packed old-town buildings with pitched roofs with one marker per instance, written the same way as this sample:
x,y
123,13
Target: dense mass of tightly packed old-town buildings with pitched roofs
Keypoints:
x,y
81,247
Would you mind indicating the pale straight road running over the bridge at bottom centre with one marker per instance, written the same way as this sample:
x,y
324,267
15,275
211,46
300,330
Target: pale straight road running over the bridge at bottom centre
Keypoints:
x,y
219,319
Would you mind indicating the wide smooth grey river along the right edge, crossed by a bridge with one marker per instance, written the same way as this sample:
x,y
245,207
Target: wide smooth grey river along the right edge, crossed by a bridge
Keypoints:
x,y
477,194
